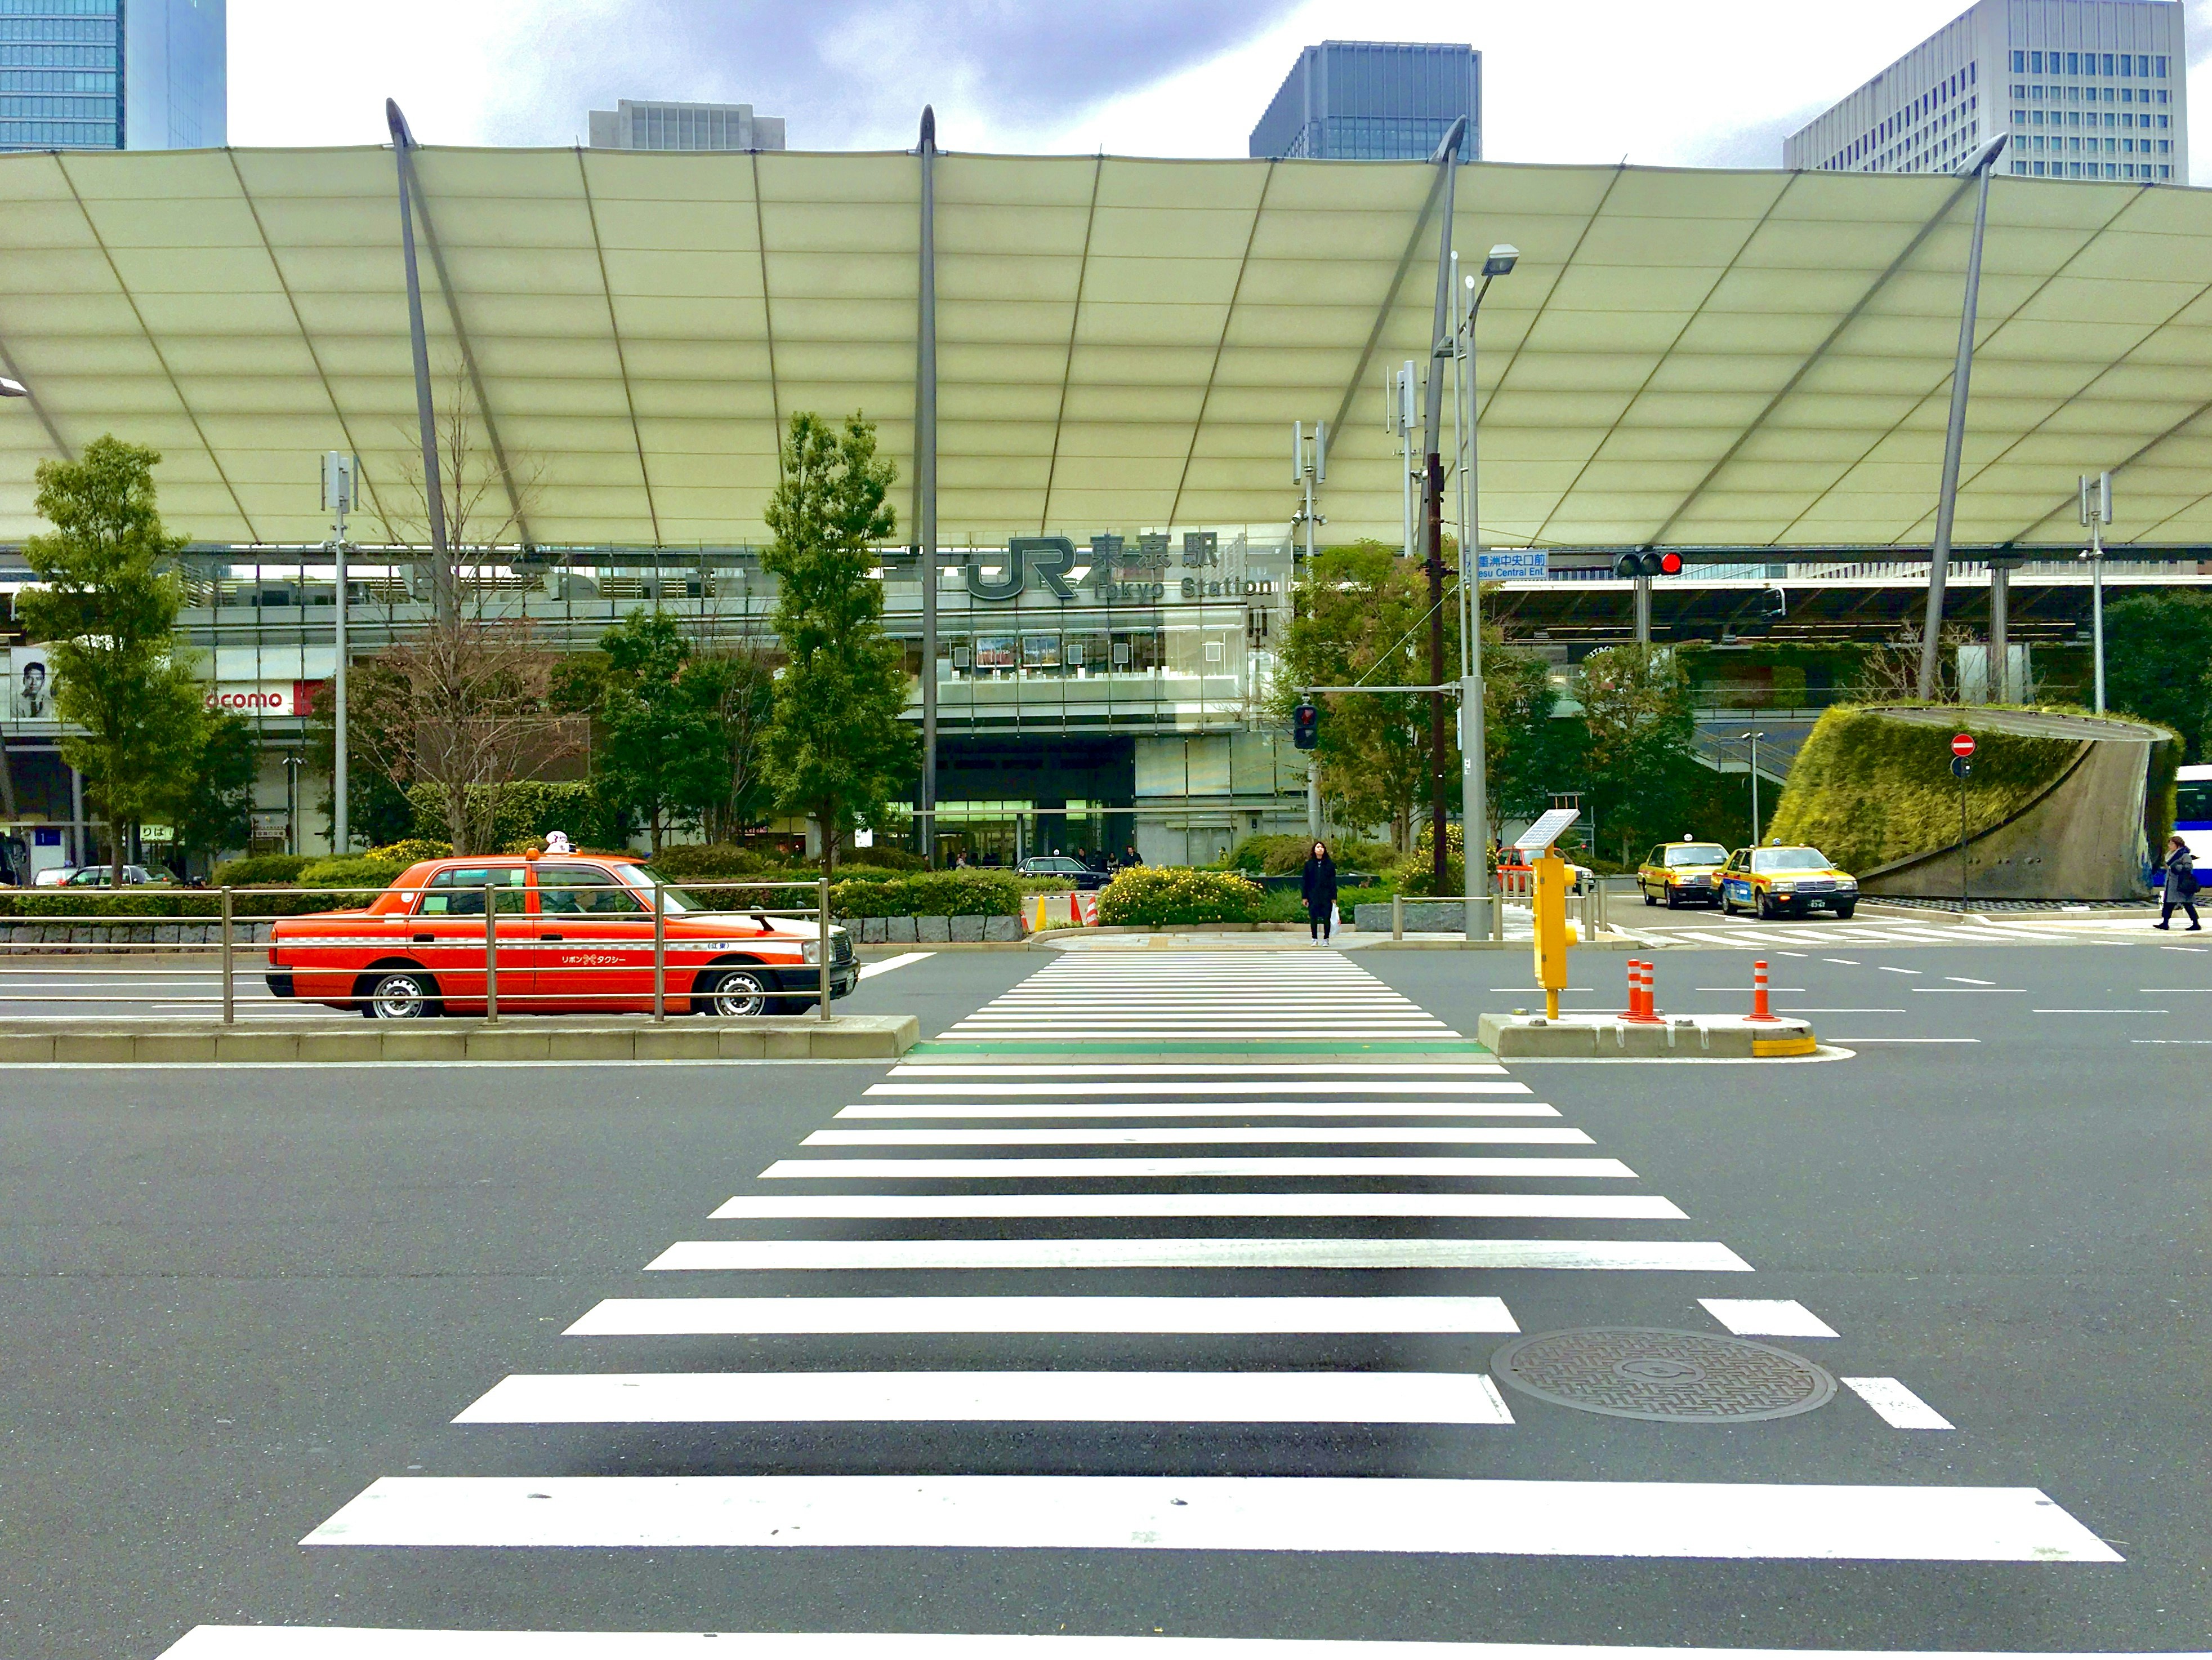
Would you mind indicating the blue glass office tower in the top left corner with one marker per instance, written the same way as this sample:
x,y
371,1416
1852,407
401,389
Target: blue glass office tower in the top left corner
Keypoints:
x,y
114,76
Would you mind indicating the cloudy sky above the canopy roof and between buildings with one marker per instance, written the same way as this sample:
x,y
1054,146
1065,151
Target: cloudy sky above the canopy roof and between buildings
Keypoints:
x,y
1700,83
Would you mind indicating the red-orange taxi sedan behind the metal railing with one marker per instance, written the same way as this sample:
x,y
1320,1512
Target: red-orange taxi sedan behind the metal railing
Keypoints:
x,y
572,935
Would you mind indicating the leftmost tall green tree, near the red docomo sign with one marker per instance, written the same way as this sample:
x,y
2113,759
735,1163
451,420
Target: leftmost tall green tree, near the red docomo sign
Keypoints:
x,y
107,605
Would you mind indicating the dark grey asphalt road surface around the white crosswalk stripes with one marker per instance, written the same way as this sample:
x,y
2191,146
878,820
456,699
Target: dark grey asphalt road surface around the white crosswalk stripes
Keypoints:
x,y
240,1298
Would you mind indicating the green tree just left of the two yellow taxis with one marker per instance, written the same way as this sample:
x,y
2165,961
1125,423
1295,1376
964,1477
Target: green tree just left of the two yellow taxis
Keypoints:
x,y
1636,705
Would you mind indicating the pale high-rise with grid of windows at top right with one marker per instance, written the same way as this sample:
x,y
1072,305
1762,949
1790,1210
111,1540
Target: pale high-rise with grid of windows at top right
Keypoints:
x,y
2087,90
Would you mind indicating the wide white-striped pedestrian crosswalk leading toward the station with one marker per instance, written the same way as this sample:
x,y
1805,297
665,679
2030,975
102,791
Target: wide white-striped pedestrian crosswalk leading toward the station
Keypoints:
x,y
897,1258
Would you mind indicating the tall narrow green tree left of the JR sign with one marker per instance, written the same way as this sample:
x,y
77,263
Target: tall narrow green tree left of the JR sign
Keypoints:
x,y
837,747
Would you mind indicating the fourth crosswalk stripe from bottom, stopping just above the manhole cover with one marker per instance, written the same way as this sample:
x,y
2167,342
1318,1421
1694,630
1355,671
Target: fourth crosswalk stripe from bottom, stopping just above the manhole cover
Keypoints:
x,y
1050,1316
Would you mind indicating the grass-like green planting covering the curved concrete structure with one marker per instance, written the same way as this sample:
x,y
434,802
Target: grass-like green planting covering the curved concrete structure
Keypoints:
x,y
1868,789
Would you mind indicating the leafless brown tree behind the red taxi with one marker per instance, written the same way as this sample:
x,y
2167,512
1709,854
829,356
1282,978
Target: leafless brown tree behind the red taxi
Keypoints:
x,y
463,701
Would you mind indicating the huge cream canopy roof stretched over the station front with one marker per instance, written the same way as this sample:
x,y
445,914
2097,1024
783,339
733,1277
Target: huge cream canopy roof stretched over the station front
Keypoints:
x,y
1684,357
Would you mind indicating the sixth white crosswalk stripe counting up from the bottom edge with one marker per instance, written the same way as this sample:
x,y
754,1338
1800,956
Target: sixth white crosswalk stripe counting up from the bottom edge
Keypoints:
x,y
1054,1207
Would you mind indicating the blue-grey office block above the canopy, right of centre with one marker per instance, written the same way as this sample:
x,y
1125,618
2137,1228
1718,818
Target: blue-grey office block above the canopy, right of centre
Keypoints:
x,y
1375,101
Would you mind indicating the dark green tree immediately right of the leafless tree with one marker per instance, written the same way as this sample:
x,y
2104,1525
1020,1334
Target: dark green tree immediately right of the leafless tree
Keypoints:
x,y
658,756
